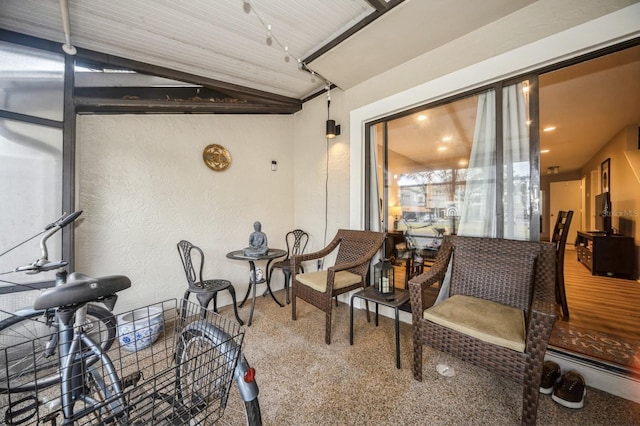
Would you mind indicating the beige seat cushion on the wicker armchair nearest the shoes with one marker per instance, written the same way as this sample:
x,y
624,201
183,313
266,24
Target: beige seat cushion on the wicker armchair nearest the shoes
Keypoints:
x,y
483,319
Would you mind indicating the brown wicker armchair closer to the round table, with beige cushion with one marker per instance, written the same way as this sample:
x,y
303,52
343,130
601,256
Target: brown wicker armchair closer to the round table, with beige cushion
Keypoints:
x,y
355,250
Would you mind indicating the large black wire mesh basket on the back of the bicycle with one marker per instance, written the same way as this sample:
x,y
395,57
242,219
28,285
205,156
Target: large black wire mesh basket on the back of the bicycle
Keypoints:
x,y
168,363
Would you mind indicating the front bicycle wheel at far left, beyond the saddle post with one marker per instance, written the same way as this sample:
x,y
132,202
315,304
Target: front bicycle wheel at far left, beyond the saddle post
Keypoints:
x,y
24,340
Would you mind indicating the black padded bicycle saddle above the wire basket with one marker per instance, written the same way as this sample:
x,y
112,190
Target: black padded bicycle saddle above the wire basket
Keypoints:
x,y
80,289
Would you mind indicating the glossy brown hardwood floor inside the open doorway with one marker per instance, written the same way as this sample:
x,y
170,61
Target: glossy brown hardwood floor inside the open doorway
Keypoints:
x,y
609,305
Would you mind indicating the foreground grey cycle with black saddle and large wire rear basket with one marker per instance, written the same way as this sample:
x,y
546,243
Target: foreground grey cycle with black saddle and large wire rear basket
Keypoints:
x,y
185,380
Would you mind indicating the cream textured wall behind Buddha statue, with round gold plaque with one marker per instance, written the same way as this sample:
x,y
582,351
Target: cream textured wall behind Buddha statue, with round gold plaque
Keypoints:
x,y
143,187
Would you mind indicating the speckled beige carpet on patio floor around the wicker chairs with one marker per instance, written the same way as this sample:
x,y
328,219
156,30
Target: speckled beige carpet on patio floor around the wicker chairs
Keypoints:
x,y
305,382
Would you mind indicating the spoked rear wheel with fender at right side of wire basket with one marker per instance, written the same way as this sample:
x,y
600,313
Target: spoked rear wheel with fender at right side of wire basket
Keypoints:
x,y
202,377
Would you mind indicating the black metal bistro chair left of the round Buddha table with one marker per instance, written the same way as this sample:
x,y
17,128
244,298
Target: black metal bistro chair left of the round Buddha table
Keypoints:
x,y
205,290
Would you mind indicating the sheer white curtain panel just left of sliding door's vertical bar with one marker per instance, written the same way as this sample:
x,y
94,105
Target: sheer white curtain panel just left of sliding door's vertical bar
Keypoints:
x,y
478,216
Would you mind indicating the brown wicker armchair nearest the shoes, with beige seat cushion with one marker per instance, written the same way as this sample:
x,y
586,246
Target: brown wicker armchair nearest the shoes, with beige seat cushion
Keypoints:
x,y
489,276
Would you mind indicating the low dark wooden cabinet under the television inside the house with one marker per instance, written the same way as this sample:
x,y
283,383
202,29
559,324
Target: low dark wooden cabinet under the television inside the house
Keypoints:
x,y
611,255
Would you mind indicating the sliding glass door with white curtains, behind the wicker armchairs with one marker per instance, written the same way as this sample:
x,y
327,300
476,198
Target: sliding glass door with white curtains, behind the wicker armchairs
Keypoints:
x,y
459,167
